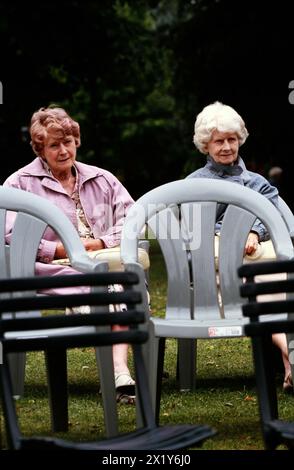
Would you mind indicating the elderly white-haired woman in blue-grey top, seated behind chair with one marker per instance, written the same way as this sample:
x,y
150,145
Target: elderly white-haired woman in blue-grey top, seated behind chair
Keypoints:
x,y
219,132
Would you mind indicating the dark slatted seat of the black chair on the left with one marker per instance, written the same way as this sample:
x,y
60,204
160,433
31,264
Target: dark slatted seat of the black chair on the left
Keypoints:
x,y
160,438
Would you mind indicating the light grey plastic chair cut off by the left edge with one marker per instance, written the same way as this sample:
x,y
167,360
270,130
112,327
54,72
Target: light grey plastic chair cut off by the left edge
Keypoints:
x,y
33,215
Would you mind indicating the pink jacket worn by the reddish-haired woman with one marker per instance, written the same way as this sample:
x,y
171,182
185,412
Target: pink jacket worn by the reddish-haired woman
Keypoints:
x,y
104,199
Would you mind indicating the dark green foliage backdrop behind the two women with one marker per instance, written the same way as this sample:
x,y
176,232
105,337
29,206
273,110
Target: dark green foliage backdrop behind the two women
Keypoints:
x,y
135,73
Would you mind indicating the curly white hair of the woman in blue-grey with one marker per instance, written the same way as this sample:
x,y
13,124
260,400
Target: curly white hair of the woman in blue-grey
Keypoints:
x,y
220,117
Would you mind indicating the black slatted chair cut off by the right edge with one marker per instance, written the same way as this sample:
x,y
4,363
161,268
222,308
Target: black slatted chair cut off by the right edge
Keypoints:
x,y
275,431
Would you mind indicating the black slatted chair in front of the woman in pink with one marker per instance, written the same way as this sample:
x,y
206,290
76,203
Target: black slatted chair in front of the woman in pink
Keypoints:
x,y
149,436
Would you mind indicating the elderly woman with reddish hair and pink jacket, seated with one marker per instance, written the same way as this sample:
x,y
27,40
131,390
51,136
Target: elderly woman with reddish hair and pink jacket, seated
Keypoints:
x,y
92,198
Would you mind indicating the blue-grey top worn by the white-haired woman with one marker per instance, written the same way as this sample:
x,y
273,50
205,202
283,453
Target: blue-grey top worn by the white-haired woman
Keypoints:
x,y
239,174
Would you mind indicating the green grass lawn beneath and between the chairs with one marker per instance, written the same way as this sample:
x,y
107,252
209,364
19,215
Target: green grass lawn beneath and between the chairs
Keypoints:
x,y
225,397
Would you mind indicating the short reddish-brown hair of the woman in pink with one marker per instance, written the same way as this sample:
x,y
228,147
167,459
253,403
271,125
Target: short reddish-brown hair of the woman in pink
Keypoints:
x,y
54,121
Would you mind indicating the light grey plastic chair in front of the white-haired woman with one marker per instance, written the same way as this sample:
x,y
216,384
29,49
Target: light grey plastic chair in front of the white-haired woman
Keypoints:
x,y
203,299
